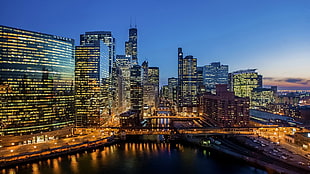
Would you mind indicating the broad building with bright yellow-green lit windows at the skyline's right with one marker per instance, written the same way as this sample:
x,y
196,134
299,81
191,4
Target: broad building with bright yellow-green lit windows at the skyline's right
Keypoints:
x,y
242,82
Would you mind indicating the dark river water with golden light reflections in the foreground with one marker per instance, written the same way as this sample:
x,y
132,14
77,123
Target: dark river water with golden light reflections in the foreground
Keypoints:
x,y
140,158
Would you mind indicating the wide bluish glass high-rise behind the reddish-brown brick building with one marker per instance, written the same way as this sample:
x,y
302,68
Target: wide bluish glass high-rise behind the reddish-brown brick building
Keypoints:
x,y
213,74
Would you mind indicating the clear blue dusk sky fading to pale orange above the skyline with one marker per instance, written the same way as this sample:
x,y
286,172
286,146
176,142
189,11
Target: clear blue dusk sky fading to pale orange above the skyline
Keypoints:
x,y
270,35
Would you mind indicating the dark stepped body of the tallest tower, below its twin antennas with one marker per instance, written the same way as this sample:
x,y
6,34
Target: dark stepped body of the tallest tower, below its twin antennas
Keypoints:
x,y
131,46
